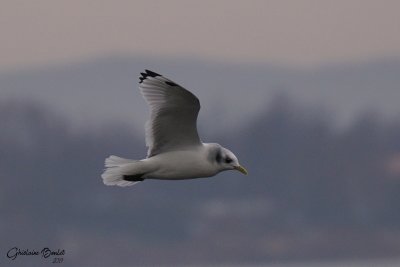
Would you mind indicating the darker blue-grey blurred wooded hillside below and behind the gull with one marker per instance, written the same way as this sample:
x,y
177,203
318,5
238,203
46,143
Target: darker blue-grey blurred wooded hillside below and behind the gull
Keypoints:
x,y
313,192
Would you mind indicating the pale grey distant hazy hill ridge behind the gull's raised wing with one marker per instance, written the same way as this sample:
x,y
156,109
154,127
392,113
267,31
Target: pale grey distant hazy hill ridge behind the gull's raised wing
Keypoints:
x,y
91,93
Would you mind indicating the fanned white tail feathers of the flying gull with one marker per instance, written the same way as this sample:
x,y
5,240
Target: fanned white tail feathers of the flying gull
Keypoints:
x,y
114,173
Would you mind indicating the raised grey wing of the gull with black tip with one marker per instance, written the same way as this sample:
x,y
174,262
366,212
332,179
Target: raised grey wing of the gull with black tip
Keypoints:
x,y
173,114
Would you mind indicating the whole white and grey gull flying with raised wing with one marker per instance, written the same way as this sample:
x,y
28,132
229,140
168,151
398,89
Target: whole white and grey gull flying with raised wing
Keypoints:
x,y
175,150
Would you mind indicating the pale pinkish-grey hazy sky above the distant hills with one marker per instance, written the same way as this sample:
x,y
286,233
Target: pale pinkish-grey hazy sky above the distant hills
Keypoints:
x,y
297,32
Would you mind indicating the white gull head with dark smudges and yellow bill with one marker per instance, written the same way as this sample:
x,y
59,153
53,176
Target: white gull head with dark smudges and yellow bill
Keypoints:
x,y
225,159
